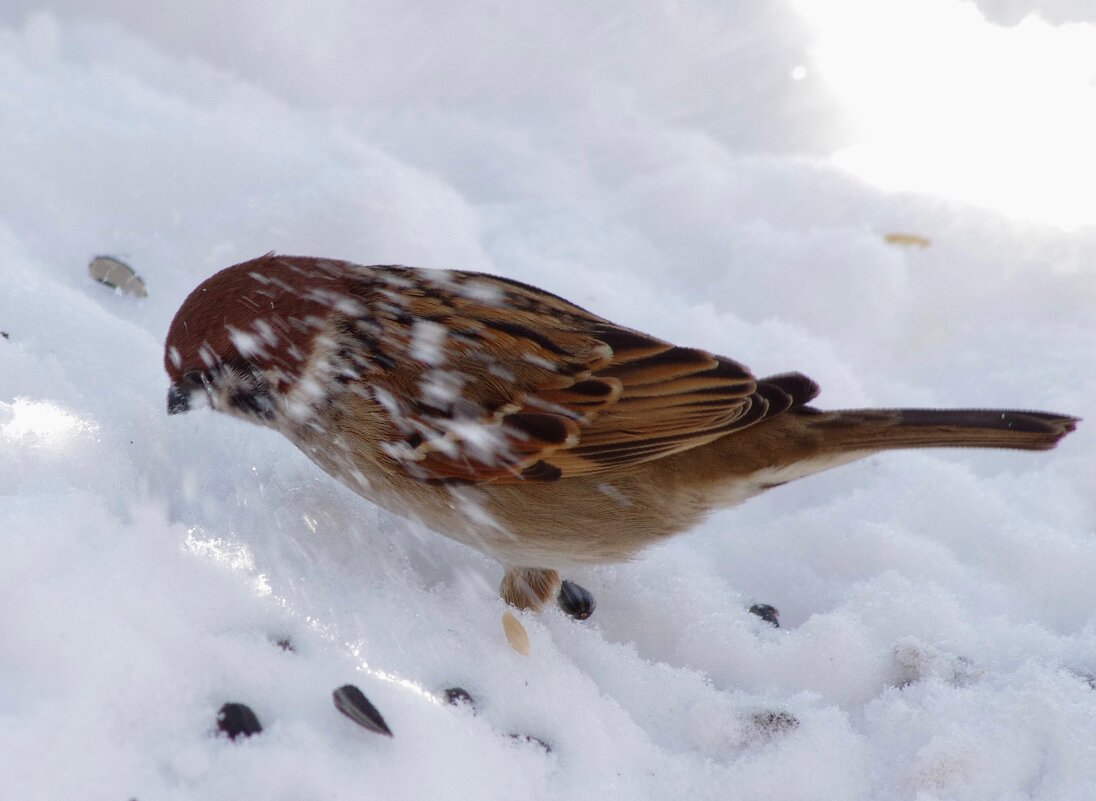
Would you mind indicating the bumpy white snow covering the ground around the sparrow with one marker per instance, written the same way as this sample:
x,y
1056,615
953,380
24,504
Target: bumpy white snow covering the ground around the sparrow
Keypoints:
x,y
665,165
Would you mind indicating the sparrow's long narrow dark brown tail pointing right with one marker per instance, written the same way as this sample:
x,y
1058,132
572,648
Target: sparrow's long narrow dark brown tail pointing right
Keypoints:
x,y
890,429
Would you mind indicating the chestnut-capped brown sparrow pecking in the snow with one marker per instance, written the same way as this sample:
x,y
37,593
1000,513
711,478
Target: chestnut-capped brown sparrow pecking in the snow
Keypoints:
x,y
516,422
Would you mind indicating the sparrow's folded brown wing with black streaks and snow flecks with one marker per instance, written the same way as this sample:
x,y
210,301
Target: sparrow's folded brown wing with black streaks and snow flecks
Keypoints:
x,y
487,380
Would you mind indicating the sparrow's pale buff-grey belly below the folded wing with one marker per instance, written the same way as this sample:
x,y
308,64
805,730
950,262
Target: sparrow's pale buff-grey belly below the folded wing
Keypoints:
x,y
587,520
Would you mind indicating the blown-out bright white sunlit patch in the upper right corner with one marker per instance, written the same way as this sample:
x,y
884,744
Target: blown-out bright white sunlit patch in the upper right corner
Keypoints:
x,y
945,102
